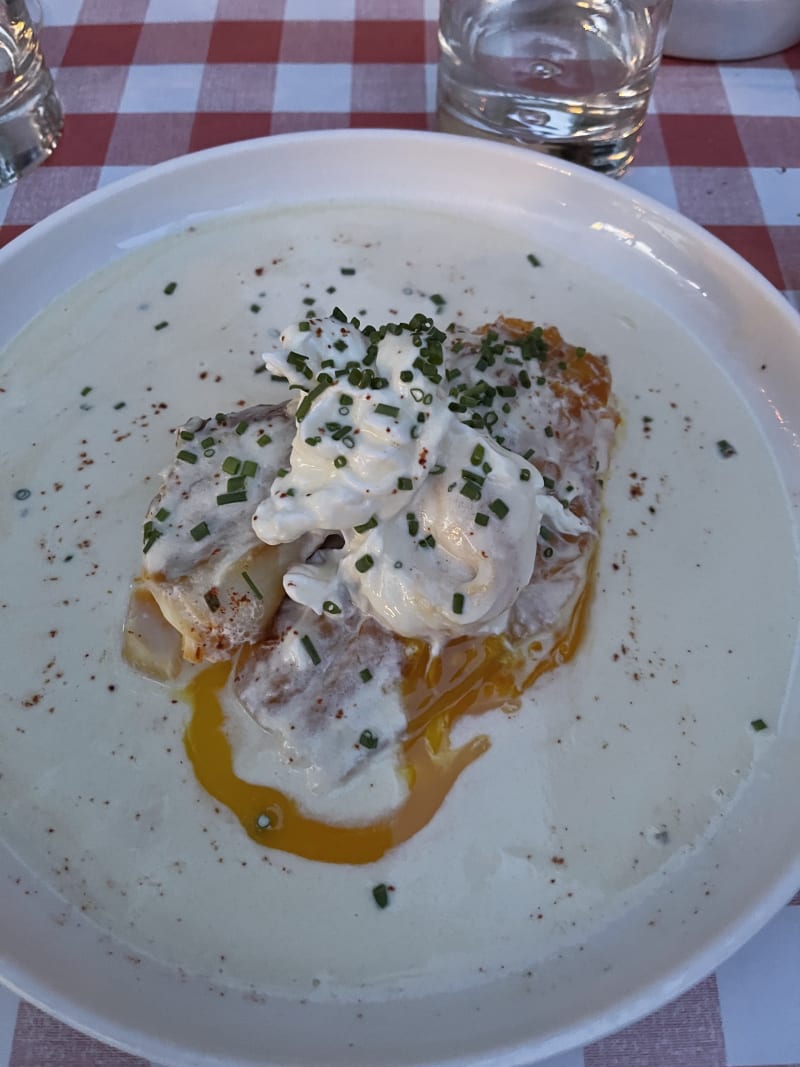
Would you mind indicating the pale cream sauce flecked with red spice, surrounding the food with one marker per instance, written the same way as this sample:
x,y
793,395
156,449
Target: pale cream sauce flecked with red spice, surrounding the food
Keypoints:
x,y
614,770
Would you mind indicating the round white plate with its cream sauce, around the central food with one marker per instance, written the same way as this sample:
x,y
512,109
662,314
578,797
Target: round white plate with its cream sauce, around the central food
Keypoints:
x,y
92,906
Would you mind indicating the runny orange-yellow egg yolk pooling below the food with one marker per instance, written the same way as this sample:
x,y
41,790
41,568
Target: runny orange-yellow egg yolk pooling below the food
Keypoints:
x,y
471,677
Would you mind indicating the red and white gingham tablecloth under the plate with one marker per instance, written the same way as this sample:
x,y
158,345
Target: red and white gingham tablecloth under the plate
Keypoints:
x,y
146,81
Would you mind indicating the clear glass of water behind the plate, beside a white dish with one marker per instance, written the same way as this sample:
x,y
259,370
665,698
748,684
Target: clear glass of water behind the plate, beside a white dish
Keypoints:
x,y
569,77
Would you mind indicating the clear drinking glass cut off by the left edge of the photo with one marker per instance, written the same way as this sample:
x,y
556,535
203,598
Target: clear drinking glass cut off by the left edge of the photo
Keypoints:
x,y
31,119
